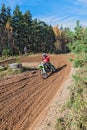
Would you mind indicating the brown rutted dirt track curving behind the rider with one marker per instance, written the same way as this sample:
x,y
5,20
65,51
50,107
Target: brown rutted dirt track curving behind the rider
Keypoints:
x,y
24,96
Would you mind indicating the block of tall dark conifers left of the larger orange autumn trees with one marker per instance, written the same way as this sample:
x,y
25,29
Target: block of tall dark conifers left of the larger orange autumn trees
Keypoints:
x,y
19,30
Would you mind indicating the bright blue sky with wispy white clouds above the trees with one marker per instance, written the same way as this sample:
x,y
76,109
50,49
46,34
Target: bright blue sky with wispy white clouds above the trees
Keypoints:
x,y
53,12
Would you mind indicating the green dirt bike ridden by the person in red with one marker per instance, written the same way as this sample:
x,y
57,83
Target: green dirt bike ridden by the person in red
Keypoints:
x,y
45,69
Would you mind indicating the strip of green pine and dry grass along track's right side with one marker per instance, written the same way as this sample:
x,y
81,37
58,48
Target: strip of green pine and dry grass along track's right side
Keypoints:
x,y
74,114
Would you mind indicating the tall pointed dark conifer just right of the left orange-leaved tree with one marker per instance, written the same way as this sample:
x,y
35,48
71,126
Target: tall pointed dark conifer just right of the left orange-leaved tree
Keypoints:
x,y
17,24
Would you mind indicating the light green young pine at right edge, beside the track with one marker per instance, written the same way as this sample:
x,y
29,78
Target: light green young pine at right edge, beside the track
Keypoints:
x,y
79,45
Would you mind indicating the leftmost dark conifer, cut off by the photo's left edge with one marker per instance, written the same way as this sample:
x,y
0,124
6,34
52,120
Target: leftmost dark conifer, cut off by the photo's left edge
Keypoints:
x,y
5,16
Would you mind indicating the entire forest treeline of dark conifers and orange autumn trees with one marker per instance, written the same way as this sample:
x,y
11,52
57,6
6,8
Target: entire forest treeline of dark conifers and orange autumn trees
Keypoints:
x,y
18,30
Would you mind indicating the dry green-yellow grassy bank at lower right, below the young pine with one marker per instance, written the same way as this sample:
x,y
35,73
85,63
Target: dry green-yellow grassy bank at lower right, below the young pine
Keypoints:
x,y
74,114
